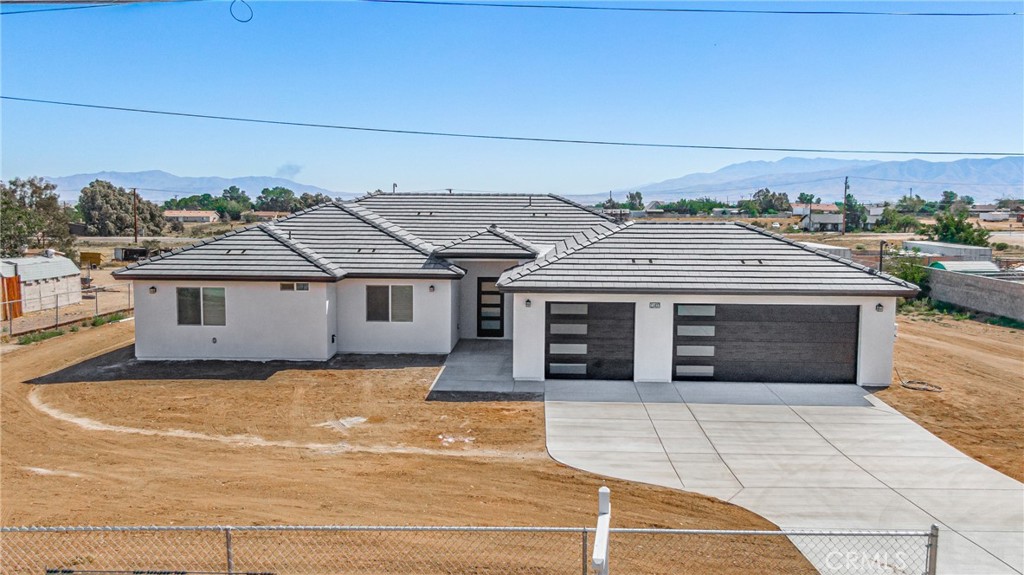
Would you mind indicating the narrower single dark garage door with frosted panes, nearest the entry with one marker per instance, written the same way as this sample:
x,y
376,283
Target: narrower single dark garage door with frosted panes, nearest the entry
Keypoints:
x,y
591,341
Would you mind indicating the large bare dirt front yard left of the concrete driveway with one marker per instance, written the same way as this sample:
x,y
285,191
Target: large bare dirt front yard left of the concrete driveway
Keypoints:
x,y
297,447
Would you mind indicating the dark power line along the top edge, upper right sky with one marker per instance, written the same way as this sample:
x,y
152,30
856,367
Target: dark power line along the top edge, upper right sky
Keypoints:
x,y
547,7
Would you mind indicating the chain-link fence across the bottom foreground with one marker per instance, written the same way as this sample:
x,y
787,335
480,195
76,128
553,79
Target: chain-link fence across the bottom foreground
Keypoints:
x,y
446,551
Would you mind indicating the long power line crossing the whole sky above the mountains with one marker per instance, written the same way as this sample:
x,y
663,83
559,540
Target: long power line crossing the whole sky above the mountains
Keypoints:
x,y
466,136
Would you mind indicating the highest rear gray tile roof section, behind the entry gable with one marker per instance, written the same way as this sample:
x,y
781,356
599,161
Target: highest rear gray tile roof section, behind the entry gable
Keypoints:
x,y
443,218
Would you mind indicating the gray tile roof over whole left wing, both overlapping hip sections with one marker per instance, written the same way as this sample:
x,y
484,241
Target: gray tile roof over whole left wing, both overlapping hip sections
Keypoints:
x,y
323,244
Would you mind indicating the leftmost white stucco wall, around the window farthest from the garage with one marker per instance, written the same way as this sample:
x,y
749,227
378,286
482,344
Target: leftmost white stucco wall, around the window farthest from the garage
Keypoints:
x,y
263,323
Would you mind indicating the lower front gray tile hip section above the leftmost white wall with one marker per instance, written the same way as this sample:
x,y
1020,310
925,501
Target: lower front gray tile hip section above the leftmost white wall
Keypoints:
x,y
260,252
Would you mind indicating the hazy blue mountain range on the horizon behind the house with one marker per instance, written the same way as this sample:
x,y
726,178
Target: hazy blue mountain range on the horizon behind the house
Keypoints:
x,y
871,182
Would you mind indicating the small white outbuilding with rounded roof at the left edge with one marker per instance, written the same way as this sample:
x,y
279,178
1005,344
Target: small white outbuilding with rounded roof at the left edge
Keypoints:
x,y
39,283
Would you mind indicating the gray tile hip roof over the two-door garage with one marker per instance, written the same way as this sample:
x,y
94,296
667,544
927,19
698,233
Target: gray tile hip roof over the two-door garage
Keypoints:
x,y
698,258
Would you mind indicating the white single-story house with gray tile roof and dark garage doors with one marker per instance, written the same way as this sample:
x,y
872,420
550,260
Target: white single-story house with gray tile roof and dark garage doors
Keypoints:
x,y
578,294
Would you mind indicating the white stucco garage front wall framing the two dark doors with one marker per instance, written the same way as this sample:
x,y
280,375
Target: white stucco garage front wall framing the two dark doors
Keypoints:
x,y
654,341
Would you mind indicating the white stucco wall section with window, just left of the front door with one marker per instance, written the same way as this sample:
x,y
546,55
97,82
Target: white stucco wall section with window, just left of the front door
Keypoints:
x,y
431,331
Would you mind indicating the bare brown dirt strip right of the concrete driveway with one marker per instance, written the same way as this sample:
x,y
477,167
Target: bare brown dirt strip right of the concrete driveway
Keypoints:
x,y
982,371
